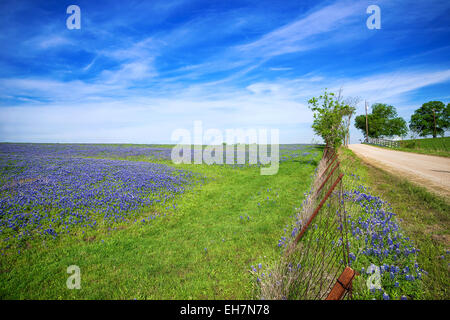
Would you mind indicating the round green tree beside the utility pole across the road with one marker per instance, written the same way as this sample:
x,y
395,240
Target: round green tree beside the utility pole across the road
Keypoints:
x,y
383,122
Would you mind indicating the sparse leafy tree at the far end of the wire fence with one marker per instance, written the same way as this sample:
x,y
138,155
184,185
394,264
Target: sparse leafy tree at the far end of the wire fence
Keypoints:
x,y
328,112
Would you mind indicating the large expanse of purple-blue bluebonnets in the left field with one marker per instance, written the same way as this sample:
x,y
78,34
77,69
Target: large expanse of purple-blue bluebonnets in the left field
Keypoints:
x,y
47,190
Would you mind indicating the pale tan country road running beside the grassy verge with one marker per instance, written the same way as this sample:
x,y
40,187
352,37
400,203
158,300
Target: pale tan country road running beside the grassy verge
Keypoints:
x,y
429,171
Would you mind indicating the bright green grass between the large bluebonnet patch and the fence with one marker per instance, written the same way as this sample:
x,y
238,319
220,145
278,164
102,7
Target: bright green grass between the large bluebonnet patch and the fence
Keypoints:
x,y
166,257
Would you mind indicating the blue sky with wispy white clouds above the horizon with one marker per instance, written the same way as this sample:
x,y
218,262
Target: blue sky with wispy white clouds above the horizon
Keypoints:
x,y
138,70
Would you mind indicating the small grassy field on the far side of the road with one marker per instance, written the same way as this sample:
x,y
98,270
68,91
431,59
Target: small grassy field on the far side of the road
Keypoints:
x,y
432,146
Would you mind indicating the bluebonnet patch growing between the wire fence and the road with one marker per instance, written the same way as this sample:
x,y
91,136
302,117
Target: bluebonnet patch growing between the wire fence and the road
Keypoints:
x,y
378,241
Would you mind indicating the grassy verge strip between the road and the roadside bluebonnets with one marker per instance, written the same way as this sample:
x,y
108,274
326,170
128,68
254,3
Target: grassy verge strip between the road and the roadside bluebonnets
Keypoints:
x,y
423,216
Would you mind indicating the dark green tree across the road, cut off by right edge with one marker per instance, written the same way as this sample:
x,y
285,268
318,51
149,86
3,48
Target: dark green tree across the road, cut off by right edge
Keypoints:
x,y
432,118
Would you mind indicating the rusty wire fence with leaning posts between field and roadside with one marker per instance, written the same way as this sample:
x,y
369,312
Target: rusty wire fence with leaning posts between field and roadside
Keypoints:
x,y
315,263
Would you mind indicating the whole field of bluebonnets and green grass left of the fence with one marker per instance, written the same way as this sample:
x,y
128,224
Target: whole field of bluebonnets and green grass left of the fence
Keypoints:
x,y
137,225
